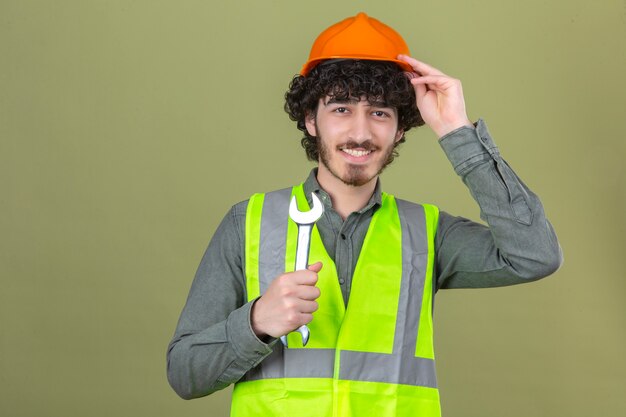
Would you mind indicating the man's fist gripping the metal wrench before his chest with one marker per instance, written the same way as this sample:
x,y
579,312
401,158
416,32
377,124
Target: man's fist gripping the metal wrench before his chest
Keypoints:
x,y
288,303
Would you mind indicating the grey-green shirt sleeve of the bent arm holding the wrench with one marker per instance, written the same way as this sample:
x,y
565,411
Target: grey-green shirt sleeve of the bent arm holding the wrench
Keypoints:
x,y
214,345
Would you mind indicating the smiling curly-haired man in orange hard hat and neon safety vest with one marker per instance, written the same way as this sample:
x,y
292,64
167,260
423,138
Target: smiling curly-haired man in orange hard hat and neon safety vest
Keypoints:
x,y
376,261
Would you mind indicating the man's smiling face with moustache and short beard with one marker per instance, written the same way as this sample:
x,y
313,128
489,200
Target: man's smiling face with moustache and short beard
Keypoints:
x,y
356,139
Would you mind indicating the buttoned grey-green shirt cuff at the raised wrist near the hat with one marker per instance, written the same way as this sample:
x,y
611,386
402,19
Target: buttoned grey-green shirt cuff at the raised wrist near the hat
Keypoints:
x,y
468,147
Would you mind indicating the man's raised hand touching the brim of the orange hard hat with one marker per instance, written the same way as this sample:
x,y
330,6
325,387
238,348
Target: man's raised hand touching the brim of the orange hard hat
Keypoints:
x,y
439,97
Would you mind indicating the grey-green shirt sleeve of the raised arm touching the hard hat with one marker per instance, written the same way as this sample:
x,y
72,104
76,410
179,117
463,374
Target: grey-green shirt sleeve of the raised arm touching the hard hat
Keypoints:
x,y
517,245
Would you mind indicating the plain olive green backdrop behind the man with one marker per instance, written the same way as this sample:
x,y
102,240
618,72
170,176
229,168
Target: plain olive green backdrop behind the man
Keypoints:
x,y
128,128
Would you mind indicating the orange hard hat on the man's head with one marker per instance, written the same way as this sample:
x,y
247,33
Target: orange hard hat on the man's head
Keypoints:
x,y
358,37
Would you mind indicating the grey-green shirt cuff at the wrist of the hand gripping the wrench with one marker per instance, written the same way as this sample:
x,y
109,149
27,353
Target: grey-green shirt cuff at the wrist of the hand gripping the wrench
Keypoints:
x,y
242,338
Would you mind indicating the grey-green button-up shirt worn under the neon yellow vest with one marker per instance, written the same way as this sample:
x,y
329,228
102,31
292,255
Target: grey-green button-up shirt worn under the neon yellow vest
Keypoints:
x,y
214,344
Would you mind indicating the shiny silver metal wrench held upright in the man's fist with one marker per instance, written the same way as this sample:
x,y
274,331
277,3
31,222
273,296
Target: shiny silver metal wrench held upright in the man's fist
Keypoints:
x,y
305,221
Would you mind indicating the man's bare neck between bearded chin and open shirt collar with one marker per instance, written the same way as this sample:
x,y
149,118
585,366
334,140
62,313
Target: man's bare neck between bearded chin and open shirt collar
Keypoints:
x,y
345,198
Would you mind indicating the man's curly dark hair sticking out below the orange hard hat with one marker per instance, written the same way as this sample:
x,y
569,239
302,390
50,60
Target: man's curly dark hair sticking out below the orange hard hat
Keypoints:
x,y
349,79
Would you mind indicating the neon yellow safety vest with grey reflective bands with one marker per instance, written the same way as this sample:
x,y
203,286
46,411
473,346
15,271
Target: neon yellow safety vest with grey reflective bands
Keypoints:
x,y
373,358
